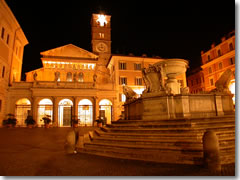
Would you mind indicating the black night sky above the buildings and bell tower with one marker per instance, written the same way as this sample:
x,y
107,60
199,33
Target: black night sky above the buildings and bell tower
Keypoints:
x,y
169,29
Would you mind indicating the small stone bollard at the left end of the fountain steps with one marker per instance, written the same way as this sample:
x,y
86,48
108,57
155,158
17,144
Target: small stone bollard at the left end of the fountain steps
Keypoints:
x,y
70,143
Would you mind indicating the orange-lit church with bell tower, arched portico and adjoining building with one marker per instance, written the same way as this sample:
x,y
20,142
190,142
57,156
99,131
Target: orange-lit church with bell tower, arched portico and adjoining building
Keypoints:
x,y
76,82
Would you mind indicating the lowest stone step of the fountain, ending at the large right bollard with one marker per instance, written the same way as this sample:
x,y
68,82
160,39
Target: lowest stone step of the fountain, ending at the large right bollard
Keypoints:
x,y
163,156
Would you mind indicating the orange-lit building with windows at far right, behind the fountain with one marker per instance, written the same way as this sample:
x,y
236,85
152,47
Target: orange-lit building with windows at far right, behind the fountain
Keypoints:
x,y
214,62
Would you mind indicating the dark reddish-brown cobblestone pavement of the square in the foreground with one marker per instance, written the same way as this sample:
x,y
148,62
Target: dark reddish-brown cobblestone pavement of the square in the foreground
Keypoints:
x,y
40,152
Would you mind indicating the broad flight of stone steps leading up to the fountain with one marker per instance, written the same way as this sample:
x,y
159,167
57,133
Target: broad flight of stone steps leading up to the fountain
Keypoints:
x,y
166,141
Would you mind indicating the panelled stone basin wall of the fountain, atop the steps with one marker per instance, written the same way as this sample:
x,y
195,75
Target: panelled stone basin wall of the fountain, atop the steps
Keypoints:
x,y
179,106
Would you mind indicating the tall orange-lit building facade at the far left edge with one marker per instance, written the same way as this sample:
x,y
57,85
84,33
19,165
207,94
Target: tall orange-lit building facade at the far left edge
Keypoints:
x,y
12,42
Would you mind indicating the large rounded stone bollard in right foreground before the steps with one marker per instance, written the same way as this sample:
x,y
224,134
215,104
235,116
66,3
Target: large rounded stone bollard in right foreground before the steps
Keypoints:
x,y
211,152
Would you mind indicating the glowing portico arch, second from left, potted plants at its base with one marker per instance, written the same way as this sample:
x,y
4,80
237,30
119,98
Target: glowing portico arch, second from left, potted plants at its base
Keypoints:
x,y
45,107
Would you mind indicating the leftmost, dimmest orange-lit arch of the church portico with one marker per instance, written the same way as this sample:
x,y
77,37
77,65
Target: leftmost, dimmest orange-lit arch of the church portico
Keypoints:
x,y
22,110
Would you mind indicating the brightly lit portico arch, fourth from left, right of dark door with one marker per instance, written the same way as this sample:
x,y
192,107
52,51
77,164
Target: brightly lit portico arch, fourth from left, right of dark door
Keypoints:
x,y
85,112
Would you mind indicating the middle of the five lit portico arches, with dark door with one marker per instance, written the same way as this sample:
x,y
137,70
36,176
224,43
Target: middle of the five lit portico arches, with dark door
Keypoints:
x,y
65,112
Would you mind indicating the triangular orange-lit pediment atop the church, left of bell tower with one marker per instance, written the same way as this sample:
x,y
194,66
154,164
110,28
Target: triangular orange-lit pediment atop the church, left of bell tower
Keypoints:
x,y
69,50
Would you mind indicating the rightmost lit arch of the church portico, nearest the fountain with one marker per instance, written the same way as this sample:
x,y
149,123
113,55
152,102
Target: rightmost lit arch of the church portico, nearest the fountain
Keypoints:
x,y
105,109
